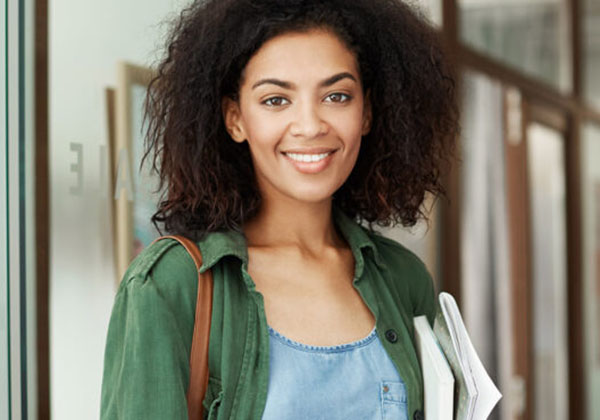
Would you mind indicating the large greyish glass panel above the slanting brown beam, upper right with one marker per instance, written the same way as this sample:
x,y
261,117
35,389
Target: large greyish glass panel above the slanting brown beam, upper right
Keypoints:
x,y
531,36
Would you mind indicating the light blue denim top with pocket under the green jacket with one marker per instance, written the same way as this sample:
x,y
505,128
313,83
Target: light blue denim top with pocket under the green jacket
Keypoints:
x,y
355,380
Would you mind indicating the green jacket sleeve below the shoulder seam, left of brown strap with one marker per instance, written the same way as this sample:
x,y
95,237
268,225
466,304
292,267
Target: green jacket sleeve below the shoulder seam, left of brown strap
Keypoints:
x,y
146,368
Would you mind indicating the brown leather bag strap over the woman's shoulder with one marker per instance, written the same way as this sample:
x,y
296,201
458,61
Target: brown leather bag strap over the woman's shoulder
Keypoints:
x,y
199,352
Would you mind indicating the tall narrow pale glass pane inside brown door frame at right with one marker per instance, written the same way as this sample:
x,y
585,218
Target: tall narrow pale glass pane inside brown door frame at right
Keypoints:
x,y
545,154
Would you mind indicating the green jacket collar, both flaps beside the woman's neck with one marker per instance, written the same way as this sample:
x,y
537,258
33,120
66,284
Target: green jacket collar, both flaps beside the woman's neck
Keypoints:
x,y
216,245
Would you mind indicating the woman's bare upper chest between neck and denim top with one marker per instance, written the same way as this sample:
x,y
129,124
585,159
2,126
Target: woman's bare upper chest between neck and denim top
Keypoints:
x,y
312,303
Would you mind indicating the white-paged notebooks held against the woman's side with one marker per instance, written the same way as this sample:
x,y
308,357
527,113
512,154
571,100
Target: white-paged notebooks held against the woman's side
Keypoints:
x,y
457,387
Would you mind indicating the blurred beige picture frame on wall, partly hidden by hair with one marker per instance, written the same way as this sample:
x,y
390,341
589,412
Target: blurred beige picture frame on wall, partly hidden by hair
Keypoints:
x,y
135,187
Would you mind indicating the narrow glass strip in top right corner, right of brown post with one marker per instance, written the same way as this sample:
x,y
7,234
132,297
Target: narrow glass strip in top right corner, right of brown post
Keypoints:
x,y
590,20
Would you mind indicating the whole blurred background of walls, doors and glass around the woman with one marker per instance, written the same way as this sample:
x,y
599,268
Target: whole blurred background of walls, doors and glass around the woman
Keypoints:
x,y
517,243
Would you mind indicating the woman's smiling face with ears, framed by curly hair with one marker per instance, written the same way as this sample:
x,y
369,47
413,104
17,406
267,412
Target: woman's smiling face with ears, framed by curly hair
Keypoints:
x,y
302,111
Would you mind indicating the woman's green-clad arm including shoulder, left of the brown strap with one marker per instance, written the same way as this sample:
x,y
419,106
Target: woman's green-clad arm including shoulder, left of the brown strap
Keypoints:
x,y
146,360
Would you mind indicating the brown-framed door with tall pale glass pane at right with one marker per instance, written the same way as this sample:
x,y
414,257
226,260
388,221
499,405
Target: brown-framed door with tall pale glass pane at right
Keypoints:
x,y
536,150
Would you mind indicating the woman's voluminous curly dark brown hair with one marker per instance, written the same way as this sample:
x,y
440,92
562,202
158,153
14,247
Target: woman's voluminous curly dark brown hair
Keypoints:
x,y
210,178
